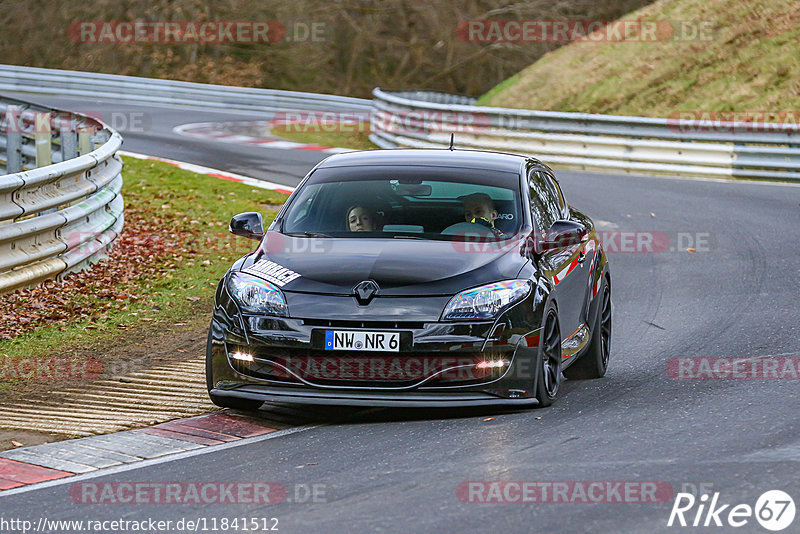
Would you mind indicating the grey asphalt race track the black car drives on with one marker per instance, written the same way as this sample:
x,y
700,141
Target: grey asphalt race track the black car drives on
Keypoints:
x,y
386,470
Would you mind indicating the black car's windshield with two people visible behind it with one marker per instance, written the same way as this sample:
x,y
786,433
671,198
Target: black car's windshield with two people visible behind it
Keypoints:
x,y
424,203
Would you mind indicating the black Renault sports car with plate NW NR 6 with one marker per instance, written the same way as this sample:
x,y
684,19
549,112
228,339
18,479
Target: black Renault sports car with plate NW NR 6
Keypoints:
x,y
413,278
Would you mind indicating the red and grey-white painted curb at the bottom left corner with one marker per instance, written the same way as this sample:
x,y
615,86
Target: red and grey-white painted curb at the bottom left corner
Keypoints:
x,y
61,459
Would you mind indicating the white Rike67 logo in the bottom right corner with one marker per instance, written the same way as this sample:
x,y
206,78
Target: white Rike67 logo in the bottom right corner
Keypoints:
x,y
774,510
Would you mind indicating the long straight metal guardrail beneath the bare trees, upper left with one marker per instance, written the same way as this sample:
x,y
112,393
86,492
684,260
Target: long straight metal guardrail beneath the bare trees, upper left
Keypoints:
x,y
132,89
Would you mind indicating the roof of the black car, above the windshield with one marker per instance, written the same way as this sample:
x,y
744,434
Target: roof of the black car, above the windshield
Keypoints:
x,y
433,157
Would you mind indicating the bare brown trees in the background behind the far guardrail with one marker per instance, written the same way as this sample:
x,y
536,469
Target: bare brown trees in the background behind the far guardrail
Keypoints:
x,y
367,43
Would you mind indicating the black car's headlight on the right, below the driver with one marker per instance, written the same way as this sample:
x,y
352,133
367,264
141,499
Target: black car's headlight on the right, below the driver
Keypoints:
x,y
487,301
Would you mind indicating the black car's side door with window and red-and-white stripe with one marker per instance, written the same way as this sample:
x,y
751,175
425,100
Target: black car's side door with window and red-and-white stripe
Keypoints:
x,y
564,264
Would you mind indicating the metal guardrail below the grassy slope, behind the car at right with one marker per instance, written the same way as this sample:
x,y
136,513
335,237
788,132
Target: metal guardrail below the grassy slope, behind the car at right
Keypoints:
x,y
636,145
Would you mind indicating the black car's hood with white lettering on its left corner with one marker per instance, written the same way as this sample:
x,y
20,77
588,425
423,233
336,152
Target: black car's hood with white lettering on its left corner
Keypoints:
x,y
400,267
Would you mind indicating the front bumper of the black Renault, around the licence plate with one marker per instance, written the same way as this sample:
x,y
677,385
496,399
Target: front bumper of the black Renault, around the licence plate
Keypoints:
x,y
438,360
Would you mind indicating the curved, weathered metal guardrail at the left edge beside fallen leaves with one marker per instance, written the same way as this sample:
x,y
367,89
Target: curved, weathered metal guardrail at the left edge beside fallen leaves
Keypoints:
x,y
60,202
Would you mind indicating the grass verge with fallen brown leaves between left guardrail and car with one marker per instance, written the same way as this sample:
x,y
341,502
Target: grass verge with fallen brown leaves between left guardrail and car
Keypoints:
x,y
163,270
